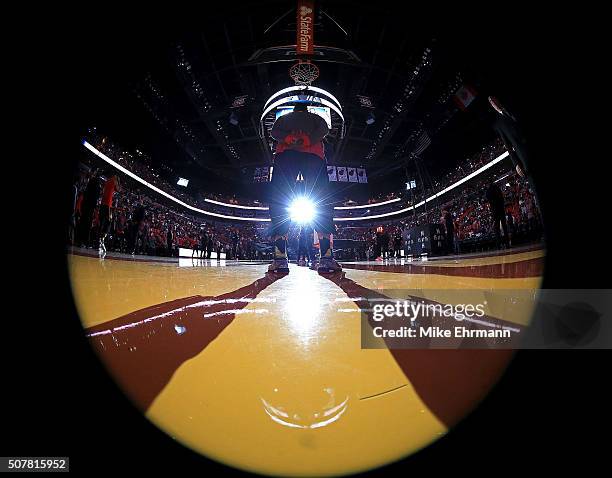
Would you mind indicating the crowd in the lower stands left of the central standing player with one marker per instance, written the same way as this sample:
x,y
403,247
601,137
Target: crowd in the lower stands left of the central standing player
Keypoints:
x,y
142,225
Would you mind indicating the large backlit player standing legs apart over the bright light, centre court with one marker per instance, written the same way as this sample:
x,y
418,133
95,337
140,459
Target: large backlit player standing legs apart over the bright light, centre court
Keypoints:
x,y
299,149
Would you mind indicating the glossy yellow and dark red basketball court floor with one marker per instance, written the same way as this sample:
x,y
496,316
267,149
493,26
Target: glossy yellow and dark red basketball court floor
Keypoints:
x,y
266,372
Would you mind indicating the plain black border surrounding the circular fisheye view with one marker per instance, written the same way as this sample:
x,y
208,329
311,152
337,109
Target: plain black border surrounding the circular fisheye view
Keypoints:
x,y
551,411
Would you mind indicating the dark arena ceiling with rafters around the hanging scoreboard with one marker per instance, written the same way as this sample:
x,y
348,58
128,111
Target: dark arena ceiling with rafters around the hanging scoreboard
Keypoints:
x,y
184,88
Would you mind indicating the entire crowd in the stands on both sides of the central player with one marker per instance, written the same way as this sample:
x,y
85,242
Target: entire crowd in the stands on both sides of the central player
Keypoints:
x,y
165,228
